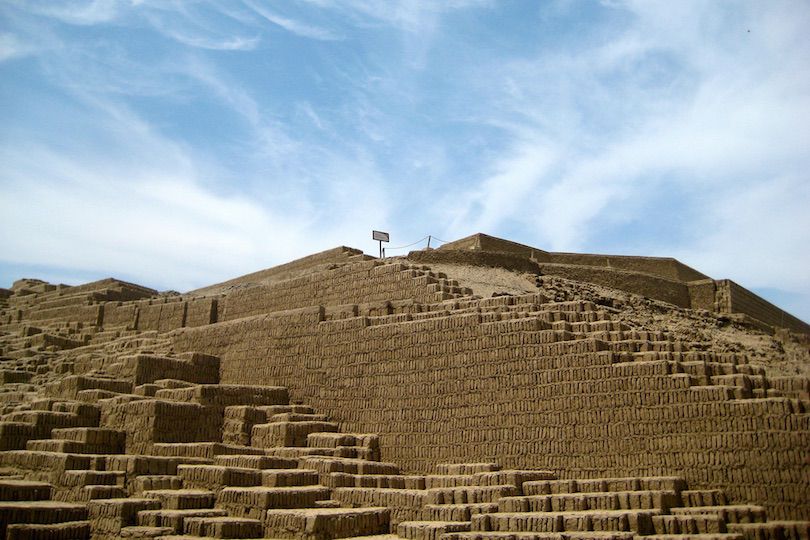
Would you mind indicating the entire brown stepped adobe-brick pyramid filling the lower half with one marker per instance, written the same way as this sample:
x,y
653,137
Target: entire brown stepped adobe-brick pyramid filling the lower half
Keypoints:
x,y
482,390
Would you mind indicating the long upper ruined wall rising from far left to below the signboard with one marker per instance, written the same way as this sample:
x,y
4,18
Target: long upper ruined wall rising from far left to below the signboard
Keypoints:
x,y
377,285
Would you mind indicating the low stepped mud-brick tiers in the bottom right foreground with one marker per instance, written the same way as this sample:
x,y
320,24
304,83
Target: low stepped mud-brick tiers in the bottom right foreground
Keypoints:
x,y
615,508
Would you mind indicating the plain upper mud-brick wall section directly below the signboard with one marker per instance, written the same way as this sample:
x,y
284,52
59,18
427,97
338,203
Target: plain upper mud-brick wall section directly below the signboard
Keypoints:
x,y
360,282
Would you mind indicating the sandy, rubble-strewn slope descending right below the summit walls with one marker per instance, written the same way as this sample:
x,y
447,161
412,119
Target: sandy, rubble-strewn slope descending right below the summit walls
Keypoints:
x,y
779,355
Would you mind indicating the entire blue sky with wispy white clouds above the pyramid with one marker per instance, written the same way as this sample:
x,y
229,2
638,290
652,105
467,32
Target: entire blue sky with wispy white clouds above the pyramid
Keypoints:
x,y
177,144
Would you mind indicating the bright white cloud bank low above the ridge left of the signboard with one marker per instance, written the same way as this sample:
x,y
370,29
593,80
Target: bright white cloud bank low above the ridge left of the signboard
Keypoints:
x,y
159,225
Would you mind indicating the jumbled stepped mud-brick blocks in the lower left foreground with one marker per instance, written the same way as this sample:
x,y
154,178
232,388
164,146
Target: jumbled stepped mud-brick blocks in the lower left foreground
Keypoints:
x,y
270,475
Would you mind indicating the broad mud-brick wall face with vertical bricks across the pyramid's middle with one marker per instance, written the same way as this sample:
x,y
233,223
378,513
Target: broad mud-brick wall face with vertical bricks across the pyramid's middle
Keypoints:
x,y
456,389
